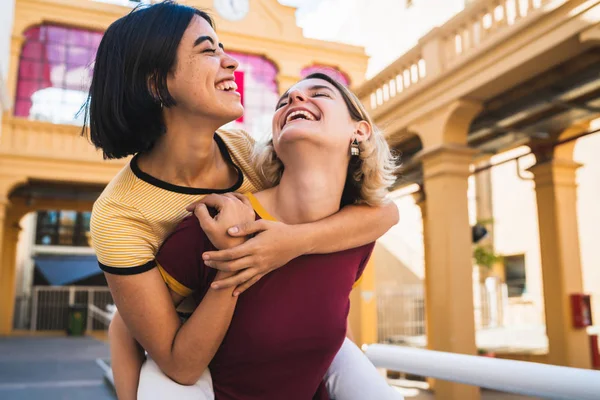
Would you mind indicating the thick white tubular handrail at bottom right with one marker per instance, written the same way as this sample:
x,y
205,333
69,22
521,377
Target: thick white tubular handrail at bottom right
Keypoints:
x,y
519,377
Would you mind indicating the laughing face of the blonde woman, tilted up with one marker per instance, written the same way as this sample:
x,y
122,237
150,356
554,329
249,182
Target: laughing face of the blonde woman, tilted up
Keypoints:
x,y
313,111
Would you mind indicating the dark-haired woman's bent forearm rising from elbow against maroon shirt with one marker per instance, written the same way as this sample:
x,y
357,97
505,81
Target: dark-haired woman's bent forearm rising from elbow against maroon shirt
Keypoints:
x,y
197,341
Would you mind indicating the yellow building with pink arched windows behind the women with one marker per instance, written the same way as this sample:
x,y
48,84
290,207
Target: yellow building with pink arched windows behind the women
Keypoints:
x,y
50,175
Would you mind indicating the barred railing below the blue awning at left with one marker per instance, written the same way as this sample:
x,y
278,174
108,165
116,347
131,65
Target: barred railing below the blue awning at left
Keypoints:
x,y
50,306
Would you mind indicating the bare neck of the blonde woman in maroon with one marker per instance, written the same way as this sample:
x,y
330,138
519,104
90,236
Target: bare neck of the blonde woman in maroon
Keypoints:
x,y
308,191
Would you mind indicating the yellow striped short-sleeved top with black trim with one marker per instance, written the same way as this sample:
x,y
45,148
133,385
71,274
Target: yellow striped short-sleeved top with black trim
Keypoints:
x,y
136,212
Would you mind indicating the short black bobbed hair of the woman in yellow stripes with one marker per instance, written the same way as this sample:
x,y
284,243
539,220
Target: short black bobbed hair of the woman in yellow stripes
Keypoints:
x,y
137,52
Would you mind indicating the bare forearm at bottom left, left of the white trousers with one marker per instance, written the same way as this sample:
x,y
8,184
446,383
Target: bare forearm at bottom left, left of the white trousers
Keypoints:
x,y
127,358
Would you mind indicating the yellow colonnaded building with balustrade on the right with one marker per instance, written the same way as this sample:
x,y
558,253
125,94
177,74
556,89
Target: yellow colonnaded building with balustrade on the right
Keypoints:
x,y
497,76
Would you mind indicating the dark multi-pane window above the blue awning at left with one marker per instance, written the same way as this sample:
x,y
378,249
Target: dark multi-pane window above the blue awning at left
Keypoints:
x,y
63,228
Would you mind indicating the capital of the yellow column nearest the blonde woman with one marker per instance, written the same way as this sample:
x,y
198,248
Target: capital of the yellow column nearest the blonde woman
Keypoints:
x,y
447,159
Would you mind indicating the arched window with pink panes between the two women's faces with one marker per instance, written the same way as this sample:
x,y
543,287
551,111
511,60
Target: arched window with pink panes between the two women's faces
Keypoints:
x,y
257,82
